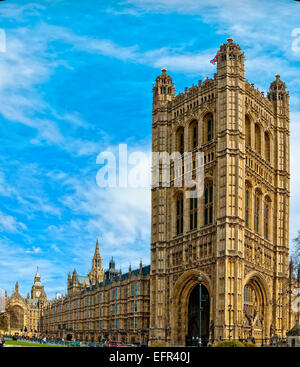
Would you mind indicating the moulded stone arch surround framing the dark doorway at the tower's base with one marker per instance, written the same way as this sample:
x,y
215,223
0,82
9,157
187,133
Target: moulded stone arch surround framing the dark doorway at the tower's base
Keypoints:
x,y
183,288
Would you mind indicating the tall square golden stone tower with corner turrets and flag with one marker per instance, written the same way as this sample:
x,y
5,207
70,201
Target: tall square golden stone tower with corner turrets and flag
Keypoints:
x,y
237,233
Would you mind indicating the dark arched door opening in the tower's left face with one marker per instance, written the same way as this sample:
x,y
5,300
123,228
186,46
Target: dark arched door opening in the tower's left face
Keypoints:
x,y
193,334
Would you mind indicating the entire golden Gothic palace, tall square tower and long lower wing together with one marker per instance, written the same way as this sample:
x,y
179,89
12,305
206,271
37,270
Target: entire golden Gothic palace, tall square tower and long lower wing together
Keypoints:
x,y
236,235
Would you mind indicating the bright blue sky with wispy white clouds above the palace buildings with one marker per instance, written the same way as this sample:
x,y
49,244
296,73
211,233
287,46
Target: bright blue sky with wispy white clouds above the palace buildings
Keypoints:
x,y
76,80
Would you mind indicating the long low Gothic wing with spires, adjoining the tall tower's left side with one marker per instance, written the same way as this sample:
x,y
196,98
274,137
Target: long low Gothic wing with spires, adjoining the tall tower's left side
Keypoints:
x,y
102,306
